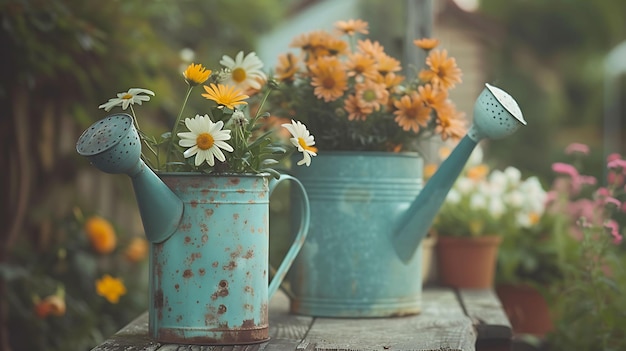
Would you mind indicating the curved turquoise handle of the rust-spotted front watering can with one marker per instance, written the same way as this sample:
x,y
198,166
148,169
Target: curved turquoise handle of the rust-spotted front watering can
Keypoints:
x,y
298,241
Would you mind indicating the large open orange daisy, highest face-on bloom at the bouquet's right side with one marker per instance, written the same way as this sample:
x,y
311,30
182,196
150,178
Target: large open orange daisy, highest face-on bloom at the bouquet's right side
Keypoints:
x,y
443,70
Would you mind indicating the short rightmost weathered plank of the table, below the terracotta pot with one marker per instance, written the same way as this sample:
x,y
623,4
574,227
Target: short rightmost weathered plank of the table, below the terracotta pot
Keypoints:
x,y
485,309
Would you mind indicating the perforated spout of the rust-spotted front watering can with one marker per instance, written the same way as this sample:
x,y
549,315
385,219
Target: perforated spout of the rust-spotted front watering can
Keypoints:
x,y
112,145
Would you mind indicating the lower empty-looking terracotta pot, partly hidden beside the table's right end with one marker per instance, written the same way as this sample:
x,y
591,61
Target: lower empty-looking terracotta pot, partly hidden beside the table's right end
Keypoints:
x,y
526,308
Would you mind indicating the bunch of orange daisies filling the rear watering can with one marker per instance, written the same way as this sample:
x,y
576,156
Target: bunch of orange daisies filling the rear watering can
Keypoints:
x,y
351,94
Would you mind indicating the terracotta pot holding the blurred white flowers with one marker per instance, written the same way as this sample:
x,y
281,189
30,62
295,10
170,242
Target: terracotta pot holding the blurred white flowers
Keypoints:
x,y
467,262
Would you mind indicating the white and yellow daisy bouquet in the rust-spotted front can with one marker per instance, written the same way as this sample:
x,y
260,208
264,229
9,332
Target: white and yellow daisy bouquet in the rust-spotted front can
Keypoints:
x,y
226,137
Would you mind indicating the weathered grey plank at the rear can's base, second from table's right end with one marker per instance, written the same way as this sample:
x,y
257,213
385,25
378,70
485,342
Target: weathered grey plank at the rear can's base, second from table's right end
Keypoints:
x,y
442,325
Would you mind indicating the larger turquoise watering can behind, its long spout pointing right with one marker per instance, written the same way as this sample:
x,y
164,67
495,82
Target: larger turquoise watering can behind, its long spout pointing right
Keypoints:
x,y
362,257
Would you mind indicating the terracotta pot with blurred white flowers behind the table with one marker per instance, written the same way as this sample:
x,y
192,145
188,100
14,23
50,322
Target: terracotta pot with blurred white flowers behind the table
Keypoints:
x,y
482,207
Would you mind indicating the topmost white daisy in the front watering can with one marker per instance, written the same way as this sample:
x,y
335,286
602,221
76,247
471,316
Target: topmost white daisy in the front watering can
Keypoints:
x,y
245,72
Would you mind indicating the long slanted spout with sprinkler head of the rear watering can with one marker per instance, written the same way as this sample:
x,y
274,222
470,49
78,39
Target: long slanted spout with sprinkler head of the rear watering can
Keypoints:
x,y
496,115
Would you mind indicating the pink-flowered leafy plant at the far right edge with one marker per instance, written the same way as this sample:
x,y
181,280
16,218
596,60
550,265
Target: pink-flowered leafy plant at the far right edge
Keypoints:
x,y
588,301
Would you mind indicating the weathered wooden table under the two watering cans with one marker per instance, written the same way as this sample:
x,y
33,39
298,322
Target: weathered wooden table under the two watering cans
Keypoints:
x,y
450,320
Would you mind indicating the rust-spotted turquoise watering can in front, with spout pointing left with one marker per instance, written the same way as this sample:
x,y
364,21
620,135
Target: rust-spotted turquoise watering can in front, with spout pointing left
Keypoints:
x,y
209,241
